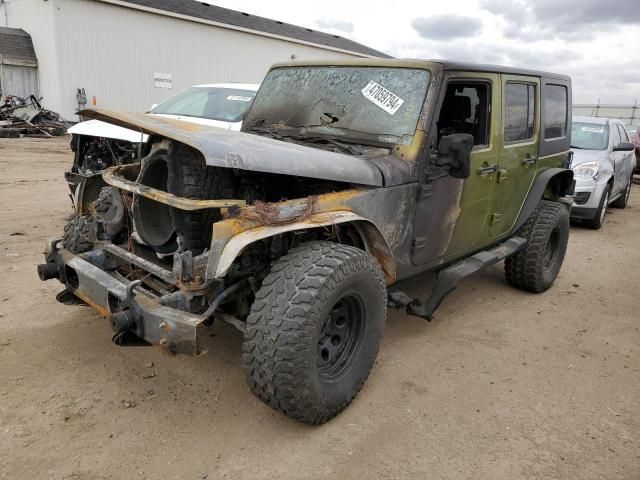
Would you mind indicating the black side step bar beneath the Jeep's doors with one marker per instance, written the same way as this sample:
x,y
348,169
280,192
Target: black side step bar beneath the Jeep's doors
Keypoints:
x,y
449,277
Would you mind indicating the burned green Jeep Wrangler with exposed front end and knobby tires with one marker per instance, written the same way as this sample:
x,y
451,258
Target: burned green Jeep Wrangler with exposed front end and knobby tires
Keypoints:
x,y
345,179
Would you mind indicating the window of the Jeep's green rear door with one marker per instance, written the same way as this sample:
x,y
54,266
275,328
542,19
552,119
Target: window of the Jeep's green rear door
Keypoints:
x,y
519,112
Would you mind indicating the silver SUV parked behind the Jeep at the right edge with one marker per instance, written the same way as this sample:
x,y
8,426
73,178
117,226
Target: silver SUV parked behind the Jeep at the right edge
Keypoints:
x,y
603,162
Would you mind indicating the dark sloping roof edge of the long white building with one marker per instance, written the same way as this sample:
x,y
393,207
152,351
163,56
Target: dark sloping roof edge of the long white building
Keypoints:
x,y
263,25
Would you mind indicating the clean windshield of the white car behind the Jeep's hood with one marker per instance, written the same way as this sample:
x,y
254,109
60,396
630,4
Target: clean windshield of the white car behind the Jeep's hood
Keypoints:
x,y
214,103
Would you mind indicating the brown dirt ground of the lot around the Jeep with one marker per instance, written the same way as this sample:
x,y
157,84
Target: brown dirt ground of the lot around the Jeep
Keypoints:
x,y
501,385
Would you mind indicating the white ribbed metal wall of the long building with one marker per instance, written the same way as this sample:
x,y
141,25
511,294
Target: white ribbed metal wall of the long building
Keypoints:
x,y
112,52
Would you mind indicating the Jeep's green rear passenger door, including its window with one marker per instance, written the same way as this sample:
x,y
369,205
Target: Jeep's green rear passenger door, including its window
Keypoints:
x,y
518,155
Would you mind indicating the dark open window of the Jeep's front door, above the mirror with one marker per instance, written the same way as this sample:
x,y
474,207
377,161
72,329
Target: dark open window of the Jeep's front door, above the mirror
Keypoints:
x,y
466,110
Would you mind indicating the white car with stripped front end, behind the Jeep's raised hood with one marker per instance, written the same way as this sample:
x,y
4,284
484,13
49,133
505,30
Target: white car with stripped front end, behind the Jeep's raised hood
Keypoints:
x,y
98,145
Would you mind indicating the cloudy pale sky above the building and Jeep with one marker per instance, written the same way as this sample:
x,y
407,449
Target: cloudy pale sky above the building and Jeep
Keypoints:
x,y
597,42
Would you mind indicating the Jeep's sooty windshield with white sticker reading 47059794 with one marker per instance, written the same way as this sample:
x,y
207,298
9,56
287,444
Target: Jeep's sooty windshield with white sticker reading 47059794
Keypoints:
x,y
378,103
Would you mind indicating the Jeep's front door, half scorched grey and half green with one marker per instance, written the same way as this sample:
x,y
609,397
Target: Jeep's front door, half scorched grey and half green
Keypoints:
x,y
451,214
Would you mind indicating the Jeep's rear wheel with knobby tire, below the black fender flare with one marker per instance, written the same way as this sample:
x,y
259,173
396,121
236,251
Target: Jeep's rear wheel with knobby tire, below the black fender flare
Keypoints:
x,y
536,266
